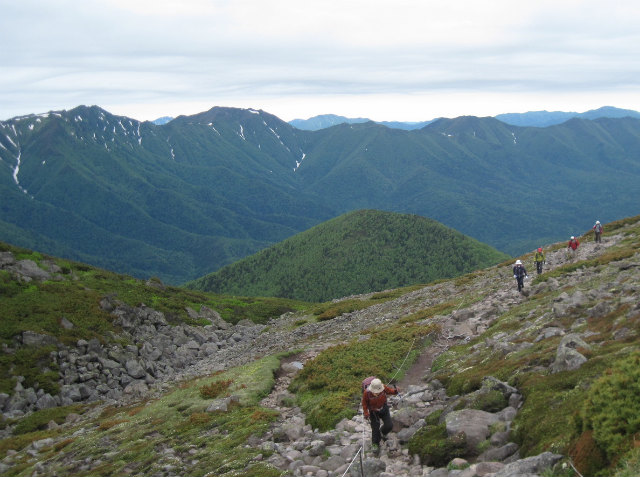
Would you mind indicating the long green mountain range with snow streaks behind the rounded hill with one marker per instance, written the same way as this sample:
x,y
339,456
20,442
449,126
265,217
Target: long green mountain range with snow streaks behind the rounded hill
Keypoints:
x,y
181,200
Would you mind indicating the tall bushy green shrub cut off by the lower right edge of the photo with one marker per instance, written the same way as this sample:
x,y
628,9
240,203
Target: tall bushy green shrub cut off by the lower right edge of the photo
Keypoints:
x,y
612,407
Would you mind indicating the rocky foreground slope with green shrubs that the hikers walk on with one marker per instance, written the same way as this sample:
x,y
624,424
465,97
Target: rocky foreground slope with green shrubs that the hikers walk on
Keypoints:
x,y
493,382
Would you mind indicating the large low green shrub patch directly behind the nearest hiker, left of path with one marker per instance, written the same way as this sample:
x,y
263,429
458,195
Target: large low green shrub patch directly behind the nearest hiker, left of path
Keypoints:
x,y
329,387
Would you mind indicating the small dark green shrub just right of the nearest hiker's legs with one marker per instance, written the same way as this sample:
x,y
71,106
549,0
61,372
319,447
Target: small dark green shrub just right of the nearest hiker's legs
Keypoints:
x,y
435,447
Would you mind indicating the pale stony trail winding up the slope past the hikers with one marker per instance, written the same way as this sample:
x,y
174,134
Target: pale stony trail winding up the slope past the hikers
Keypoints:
x,y
306,452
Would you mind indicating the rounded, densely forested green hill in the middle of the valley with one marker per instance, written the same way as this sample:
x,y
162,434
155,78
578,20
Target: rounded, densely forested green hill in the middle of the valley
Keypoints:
x,y
358,252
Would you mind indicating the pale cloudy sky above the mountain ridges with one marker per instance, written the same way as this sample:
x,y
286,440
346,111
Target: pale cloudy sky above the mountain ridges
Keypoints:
x,y
383,60
